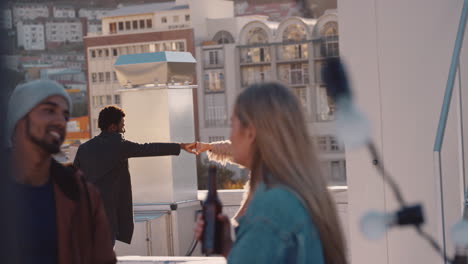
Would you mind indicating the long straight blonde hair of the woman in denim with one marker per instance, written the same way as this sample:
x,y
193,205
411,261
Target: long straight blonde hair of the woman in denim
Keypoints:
x,y
283,147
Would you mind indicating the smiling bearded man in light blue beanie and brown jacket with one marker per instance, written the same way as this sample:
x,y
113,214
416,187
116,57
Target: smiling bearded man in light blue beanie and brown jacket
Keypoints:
x,y
59,218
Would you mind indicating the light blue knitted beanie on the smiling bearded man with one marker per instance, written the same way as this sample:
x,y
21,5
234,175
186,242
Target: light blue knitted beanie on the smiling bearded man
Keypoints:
x,y
25,97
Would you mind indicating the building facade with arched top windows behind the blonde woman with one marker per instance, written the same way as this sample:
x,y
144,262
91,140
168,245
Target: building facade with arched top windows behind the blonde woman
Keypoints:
x,y
245,50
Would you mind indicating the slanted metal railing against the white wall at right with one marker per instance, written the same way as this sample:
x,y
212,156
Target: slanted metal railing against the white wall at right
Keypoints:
x,y
439,140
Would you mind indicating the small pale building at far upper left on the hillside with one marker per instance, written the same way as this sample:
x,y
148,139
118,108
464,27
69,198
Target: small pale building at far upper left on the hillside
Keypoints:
x,y
31,35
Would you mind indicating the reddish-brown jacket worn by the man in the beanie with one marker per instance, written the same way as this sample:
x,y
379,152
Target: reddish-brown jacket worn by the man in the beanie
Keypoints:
x,y
83,231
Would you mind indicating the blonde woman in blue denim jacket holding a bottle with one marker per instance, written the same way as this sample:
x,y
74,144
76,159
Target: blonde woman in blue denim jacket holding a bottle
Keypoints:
x,y
291,217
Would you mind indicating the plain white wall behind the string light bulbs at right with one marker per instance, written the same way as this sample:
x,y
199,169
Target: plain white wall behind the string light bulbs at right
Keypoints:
x,y
399,70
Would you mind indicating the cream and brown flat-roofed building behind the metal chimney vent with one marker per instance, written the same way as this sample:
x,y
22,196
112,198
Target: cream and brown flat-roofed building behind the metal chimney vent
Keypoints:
x,y
143,28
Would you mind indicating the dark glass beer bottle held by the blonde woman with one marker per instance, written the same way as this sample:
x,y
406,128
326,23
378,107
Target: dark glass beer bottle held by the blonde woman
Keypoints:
x,y
212,207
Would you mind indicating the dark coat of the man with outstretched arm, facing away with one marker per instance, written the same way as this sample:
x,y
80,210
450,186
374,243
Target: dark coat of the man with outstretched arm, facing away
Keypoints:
x,y
104,161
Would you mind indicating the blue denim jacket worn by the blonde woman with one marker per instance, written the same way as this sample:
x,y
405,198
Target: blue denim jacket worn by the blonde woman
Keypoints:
x,y
276,228
